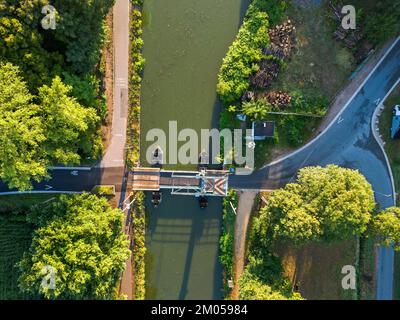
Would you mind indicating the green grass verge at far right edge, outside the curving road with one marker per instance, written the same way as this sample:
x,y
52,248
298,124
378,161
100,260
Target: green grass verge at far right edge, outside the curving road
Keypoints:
x,y
392,148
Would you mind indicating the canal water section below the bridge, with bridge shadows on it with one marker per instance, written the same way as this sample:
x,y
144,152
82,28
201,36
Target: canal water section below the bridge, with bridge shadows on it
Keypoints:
x,y
183,244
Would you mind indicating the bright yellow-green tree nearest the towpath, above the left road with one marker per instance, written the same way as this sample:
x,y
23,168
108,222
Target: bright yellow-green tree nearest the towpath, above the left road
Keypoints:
x,y
69,127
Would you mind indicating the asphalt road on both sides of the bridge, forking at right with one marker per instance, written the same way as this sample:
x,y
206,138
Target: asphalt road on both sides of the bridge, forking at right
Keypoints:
x,y
347,142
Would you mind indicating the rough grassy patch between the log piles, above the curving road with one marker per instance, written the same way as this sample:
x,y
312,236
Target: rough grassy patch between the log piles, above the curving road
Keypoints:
x,y
319,64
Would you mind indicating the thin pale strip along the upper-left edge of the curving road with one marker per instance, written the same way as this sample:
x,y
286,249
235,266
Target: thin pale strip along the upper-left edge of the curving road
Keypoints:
x,y
341,111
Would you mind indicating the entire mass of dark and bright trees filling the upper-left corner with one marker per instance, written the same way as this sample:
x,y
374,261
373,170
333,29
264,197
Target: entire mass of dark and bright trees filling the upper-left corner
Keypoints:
x,y
57,71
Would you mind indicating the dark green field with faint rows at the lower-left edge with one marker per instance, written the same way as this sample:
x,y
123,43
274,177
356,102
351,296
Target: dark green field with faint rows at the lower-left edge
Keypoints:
x,y
15,239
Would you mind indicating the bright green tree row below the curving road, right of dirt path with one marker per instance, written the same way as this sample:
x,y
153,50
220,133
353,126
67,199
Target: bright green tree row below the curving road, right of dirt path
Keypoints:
x,y
324,205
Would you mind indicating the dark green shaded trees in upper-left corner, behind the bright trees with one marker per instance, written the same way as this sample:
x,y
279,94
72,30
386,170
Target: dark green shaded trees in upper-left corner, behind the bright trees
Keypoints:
x,y
41,54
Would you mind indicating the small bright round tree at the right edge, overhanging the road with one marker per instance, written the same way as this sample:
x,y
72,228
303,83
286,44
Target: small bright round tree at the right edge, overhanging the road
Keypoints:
x,y
386,227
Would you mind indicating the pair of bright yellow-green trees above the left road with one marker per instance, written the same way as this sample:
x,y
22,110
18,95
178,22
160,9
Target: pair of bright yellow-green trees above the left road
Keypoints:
x,y
38,130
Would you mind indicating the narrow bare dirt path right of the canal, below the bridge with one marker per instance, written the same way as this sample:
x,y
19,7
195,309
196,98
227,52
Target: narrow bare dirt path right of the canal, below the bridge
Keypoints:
x,y
246,201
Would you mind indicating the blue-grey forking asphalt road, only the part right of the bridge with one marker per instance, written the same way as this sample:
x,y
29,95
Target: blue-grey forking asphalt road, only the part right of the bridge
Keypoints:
x,y
348,142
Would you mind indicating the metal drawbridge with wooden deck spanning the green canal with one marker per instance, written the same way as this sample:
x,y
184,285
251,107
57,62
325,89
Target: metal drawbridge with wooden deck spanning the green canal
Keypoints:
x,y
211,183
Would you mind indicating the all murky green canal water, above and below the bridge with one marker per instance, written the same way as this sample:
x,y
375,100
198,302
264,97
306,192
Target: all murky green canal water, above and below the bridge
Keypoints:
x,y
185,41
